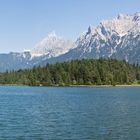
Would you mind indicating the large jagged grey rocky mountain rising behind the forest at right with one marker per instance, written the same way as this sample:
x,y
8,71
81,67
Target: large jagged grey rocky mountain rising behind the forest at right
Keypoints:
x,y
118,38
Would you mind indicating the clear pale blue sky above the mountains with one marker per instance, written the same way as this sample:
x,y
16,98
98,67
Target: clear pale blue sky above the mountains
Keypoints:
x,y
24,23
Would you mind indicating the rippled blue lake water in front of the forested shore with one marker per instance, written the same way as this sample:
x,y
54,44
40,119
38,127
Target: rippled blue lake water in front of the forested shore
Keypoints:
x,y
69,113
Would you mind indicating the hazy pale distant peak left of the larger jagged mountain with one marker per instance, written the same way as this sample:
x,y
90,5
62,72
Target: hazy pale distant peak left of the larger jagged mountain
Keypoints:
x,y
52,46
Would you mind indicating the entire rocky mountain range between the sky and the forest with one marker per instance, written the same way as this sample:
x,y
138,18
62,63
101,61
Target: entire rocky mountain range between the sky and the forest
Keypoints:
x,y
118,38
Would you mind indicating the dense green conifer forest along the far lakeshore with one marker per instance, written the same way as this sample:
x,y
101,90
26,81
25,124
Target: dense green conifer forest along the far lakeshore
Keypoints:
x,y
76,72
